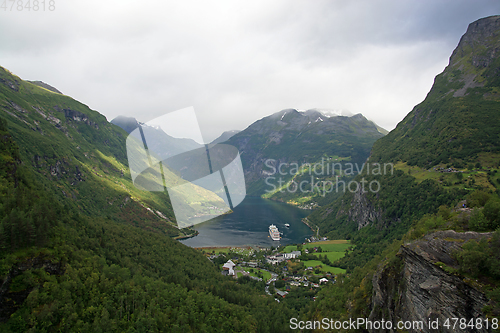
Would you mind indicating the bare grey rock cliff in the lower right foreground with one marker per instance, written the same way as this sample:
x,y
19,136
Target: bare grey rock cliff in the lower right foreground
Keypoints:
x,y
415,288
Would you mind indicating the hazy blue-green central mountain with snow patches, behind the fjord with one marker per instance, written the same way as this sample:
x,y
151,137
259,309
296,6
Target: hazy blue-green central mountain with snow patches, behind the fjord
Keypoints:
x,y
291,139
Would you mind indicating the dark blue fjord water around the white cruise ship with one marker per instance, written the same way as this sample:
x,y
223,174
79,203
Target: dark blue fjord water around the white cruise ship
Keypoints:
x,y
249,225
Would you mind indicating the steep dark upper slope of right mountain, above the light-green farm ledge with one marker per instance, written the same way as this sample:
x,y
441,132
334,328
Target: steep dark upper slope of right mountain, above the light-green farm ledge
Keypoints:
x,y
459,118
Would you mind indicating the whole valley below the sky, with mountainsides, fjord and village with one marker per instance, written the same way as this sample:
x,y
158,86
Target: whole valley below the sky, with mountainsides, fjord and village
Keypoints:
x,y
83,248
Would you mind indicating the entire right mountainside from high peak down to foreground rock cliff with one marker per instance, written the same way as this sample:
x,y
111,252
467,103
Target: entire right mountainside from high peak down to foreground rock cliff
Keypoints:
x,y
427,239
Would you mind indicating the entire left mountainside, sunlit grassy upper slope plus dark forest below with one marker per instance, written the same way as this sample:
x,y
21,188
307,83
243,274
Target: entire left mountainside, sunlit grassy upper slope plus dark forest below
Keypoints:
x,y
83,250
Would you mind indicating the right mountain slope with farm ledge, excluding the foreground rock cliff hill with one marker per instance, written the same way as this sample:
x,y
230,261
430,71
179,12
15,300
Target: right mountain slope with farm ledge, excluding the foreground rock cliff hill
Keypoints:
x,y
439,149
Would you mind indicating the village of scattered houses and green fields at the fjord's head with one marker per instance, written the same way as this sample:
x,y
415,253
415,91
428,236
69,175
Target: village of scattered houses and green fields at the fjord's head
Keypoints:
x,y
293,271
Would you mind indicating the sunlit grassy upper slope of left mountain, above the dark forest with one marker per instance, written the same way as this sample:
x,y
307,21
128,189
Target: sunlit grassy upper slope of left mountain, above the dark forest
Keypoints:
x,y
78,156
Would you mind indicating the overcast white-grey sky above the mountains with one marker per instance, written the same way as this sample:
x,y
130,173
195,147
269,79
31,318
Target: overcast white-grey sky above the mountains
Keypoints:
x,y
238,61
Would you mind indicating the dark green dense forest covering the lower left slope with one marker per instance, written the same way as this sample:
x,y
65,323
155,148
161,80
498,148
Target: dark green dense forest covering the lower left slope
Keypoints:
x,y
64,271
